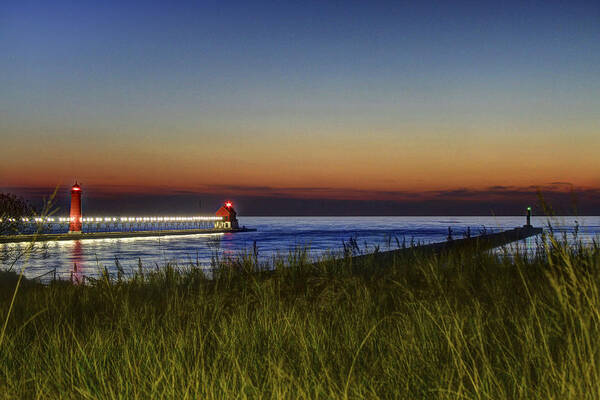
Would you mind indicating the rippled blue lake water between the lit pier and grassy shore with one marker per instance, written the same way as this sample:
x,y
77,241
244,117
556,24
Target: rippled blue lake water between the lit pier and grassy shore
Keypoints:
x,y
275,235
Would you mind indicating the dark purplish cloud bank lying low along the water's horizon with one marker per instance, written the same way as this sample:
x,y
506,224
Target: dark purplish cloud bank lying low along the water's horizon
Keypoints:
x,y
271,200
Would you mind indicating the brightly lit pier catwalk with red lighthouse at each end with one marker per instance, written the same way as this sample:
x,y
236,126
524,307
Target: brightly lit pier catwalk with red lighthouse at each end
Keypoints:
x,y
225,217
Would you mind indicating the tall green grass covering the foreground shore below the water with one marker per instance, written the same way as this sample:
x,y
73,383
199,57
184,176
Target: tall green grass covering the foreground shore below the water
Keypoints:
x,y
460,326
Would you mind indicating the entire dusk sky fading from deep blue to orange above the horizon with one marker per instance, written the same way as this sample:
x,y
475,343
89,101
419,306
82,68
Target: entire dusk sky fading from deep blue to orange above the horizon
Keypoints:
x,y
302,108
